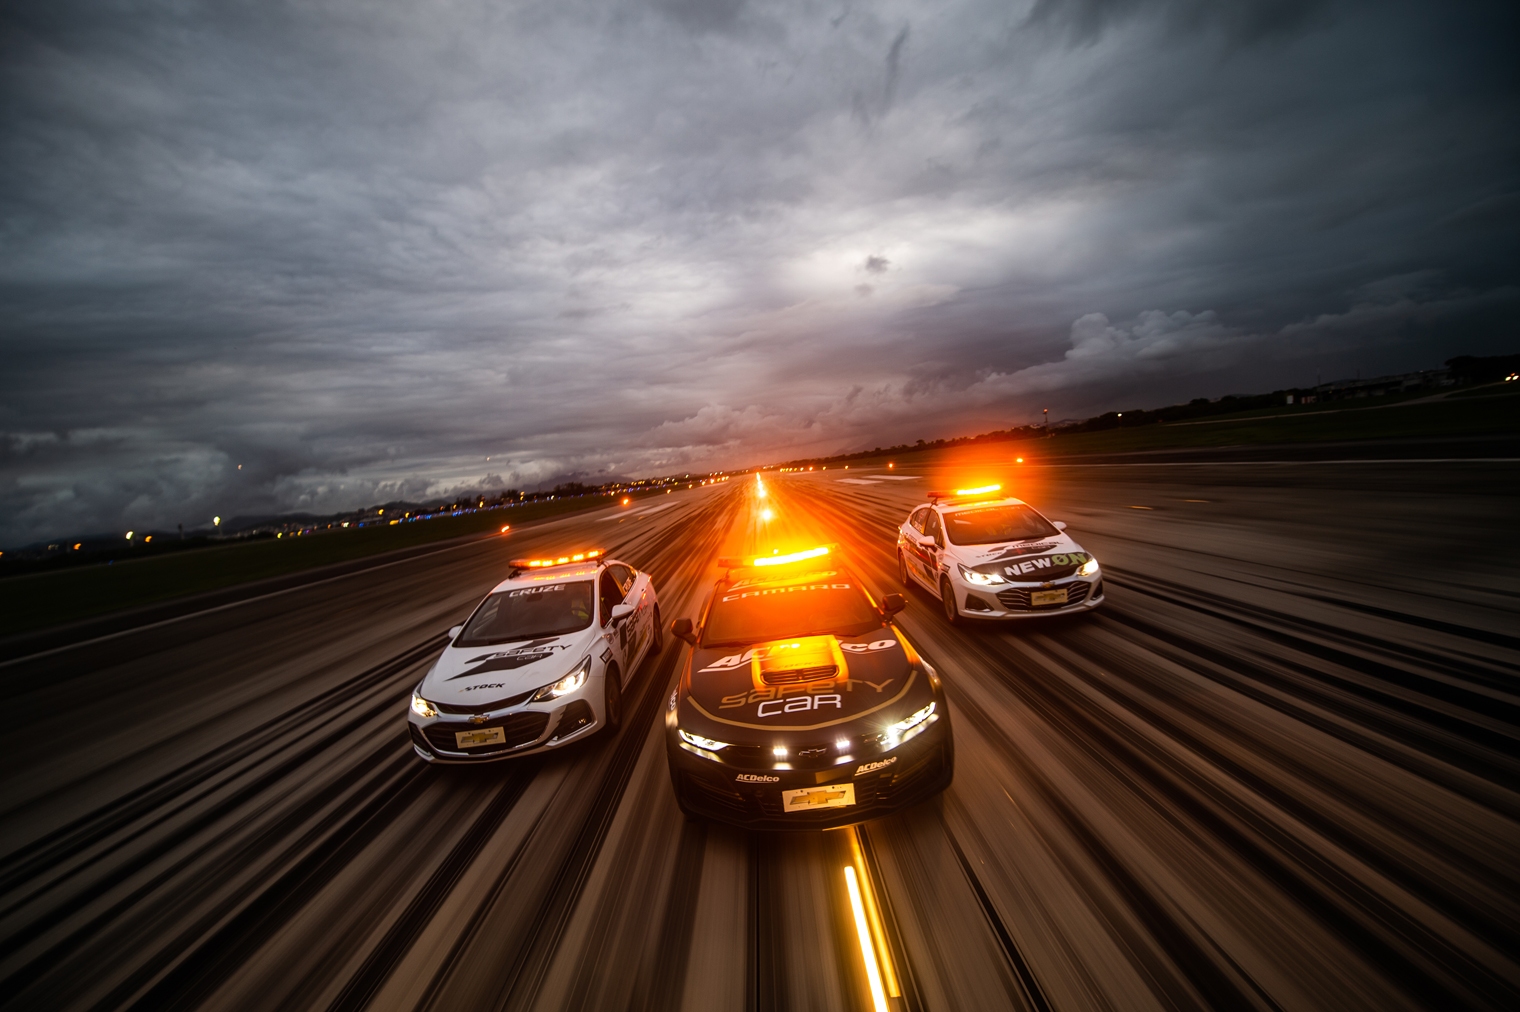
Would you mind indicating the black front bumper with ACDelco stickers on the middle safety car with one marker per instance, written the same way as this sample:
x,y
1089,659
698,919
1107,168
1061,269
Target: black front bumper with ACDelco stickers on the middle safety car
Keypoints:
x,y
753,799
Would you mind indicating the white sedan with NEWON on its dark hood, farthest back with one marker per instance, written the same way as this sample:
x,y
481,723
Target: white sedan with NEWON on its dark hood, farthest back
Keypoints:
x,y
995,558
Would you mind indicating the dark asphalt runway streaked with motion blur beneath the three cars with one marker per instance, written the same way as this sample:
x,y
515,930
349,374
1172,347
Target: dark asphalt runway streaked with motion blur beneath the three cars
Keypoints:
x,y
1276,771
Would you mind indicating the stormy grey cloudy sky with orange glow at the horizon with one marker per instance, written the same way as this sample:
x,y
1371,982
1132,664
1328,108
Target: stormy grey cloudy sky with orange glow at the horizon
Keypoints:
x,y
376,250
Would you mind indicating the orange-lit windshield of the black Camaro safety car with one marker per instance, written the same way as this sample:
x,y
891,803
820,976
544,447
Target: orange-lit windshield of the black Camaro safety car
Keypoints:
x,y
811,604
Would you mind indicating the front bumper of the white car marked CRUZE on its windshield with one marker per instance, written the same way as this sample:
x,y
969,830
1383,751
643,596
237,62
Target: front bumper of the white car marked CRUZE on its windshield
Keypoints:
x,y
525,730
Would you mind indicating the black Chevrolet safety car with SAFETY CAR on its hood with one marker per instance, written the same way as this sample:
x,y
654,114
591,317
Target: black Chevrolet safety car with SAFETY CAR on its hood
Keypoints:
x,y
802,706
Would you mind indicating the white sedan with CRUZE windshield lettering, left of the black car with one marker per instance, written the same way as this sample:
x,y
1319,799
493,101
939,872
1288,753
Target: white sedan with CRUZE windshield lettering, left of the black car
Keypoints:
x,y
542,662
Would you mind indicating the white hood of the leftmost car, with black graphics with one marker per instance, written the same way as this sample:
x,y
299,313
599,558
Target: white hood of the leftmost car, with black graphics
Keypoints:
x,y
486,674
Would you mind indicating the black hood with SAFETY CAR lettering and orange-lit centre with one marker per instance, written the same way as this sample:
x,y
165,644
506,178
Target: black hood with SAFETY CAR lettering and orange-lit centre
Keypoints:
x,y
736,694
